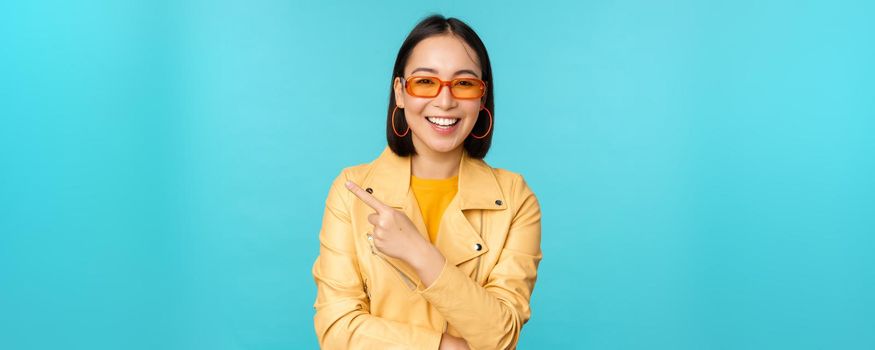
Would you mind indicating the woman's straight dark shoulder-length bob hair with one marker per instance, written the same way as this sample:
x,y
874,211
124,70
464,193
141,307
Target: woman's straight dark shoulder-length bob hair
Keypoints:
x,y
431,26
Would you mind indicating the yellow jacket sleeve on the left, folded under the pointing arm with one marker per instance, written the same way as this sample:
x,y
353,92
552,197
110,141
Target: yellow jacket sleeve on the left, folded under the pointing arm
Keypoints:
x,y
343,319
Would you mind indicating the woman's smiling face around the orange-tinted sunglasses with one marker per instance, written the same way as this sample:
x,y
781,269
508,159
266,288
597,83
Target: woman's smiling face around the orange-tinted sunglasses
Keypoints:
x,y
446,57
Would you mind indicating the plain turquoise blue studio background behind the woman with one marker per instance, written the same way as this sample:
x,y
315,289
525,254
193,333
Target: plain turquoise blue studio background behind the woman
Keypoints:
x,y
705,169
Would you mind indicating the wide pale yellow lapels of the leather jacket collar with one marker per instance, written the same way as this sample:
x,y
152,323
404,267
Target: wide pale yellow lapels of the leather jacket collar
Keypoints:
x,y
478,187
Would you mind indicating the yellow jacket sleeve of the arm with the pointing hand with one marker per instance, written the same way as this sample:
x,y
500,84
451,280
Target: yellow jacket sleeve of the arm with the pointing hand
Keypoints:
x,y
491,316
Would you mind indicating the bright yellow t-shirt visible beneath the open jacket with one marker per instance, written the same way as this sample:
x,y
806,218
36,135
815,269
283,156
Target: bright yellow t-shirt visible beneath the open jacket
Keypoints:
x,y
433,196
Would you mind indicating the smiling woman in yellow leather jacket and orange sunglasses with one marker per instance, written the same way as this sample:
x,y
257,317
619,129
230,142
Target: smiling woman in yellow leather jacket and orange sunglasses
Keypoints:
x,y
428,246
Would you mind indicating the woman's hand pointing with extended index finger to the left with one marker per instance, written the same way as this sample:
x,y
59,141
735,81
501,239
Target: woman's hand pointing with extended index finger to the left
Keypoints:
x,y
394,234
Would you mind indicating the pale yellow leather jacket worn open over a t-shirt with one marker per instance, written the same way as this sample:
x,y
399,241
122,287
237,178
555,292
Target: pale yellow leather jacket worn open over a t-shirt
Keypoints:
x,y
490,235
